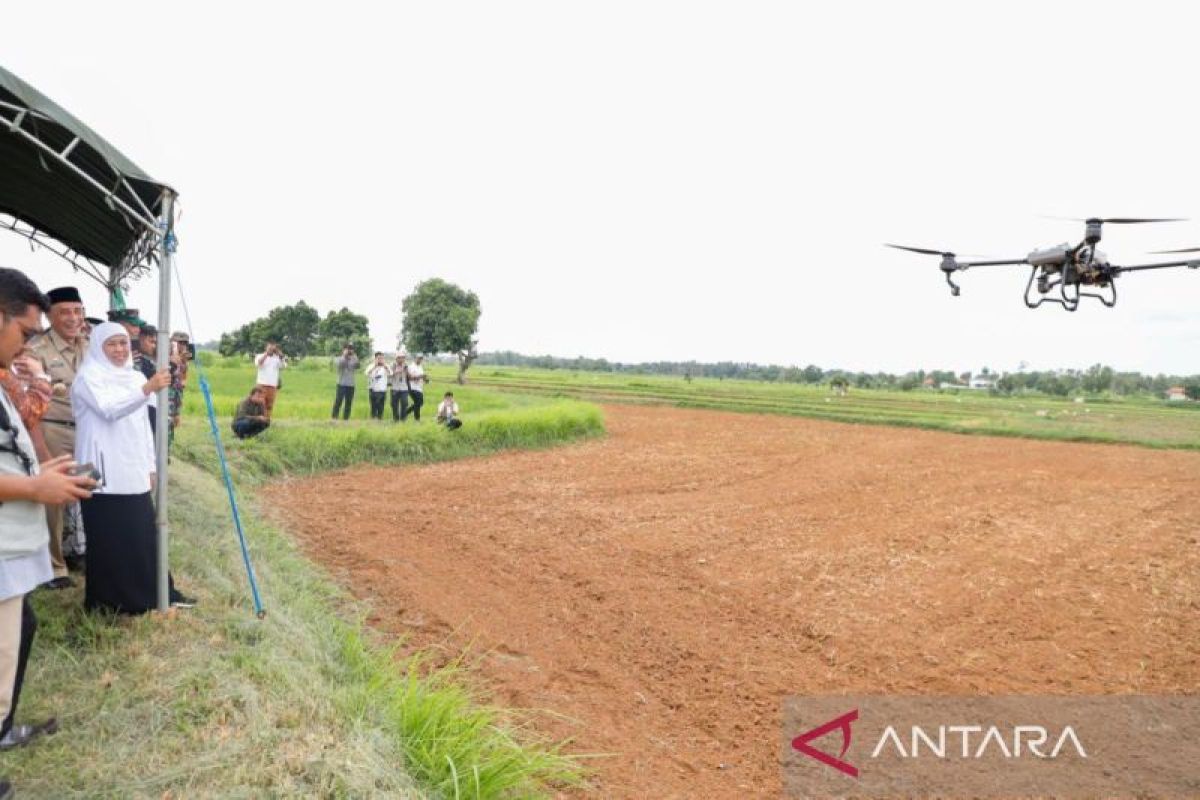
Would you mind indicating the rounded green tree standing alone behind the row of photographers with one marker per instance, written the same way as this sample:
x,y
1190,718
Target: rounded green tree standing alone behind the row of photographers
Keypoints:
x,y
441,317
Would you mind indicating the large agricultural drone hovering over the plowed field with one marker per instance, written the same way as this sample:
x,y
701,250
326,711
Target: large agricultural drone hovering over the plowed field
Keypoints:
x,y
1076,272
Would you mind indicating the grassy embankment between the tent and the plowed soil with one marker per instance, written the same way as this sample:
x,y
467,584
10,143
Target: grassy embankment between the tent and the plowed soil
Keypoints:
x,y
214,703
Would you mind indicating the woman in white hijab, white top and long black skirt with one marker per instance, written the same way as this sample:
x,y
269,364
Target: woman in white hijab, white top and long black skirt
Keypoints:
x,y
110,401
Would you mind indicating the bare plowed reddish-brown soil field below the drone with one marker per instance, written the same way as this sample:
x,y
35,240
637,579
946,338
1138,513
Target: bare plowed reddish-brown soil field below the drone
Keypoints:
x,y
664,588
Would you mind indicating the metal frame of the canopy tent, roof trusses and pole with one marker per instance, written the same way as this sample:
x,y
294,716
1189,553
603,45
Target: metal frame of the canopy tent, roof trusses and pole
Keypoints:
x,y
154,244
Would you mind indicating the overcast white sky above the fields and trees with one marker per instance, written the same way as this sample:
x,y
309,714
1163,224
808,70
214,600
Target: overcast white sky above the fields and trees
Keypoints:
x,y
655,181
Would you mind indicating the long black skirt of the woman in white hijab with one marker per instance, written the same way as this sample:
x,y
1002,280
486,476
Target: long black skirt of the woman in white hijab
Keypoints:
x,y
123,554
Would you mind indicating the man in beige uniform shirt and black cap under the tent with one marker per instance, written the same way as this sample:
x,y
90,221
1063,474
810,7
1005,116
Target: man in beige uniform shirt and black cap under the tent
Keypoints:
x,y
61,350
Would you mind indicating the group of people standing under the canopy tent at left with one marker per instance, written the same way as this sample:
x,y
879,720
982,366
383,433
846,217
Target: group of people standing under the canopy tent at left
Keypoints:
x,y
75,428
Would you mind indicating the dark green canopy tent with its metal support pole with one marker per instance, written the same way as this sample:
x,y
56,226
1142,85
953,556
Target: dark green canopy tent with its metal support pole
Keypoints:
x,y
68,190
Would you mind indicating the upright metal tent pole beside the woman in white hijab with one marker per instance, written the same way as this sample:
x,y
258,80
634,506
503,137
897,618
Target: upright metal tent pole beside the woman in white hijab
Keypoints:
x,y
166,263
